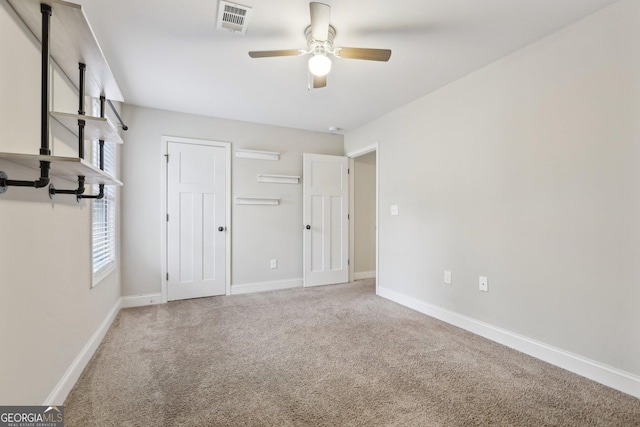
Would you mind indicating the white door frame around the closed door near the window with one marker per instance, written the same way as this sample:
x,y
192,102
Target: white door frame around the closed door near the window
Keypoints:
x,y
164,207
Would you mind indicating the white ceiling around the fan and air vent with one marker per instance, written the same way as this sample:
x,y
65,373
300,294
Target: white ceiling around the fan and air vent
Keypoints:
x,y
169,55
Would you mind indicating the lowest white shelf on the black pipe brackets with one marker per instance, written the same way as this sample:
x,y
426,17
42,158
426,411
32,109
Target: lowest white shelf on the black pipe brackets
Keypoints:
x,y
68,168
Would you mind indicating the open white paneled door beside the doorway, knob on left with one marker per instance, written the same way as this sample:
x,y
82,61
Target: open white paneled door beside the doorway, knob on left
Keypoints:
x,y
325,213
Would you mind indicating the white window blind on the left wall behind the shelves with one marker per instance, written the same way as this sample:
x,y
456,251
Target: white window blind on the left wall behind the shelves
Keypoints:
x,y
104,216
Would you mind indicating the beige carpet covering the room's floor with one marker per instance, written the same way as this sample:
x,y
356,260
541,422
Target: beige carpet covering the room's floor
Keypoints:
x,y
328,356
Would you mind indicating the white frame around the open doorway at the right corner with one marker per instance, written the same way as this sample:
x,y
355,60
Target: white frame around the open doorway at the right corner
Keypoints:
x,y
352,155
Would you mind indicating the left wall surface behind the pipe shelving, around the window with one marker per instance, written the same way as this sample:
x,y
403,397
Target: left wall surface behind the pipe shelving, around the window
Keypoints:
x,y
48,310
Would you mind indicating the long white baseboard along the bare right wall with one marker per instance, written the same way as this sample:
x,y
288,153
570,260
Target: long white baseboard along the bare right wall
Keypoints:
x,y
611,377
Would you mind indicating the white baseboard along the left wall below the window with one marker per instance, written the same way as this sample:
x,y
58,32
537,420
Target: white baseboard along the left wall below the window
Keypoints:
x,y
68,380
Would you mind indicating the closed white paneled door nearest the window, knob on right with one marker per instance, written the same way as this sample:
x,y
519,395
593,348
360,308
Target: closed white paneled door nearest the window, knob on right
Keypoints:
x,y
196,227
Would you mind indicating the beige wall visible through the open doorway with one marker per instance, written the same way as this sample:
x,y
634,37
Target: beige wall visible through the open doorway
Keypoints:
x,y
364,215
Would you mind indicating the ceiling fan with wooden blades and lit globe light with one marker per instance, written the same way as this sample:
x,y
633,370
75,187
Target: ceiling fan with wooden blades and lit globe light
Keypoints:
x,y
320,35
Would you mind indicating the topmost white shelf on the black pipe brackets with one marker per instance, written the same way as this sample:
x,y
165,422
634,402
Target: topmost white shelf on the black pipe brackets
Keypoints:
x,y
73,43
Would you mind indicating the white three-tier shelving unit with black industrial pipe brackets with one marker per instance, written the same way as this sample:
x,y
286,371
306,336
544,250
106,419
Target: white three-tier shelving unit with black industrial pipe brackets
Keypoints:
x,y
66,38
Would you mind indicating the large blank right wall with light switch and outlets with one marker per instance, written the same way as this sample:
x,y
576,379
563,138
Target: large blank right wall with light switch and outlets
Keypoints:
x,y
528,172
